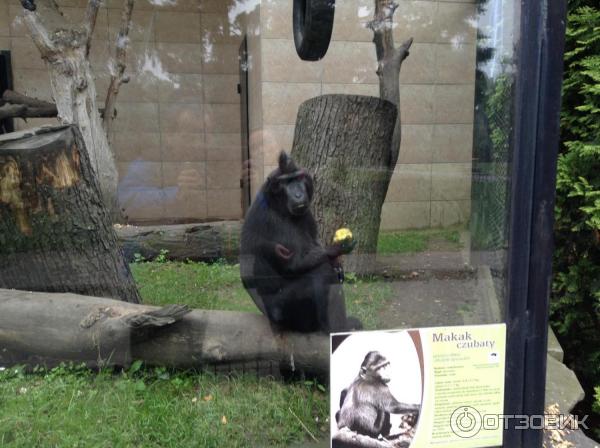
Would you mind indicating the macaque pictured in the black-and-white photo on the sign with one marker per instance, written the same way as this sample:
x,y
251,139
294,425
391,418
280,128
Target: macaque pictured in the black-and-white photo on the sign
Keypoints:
x,y
366,405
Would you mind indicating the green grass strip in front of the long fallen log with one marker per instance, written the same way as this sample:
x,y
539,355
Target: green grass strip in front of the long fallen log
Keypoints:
x,y
68,407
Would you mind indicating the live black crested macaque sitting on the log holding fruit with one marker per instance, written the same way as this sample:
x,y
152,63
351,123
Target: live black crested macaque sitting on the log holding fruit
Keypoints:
x,y
290,276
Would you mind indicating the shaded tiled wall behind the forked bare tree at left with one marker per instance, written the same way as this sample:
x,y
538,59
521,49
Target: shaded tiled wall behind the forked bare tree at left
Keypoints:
x,y
177,135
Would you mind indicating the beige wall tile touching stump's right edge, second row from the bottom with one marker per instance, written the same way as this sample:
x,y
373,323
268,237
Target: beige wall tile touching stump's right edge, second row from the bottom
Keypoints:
x,y
410,183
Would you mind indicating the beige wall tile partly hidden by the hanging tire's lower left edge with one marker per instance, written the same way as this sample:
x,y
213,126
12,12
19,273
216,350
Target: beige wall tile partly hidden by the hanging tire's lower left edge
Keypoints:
x,y
282,64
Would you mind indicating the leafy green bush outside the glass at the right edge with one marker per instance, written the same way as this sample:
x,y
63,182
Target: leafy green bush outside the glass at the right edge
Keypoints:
x,y
575,311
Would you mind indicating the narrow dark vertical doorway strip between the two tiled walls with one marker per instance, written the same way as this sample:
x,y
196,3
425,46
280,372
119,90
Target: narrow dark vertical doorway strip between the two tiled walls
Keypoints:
x,y
243,91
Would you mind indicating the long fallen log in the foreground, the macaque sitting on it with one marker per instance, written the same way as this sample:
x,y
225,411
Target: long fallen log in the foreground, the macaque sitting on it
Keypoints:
x,y
46,329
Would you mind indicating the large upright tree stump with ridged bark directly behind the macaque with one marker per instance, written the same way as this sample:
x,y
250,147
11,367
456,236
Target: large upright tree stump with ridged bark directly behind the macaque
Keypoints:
x,y
344,141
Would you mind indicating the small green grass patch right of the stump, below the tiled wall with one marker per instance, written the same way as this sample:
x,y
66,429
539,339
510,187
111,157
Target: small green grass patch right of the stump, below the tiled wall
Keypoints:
x,y
412,241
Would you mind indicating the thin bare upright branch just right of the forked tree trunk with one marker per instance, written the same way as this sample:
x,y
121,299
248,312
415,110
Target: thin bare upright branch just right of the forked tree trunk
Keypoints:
x,y
118,70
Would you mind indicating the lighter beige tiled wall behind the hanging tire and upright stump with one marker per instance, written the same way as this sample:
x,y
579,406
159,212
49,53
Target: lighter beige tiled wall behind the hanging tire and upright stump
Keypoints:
x,y
431,185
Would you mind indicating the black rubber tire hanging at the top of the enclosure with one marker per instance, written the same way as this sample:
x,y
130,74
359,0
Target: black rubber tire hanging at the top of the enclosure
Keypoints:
x,y
313,24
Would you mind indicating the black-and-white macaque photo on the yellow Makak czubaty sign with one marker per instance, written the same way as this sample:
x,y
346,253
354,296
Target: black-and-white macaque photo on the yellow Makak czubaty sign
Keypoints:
x,y
377,389
